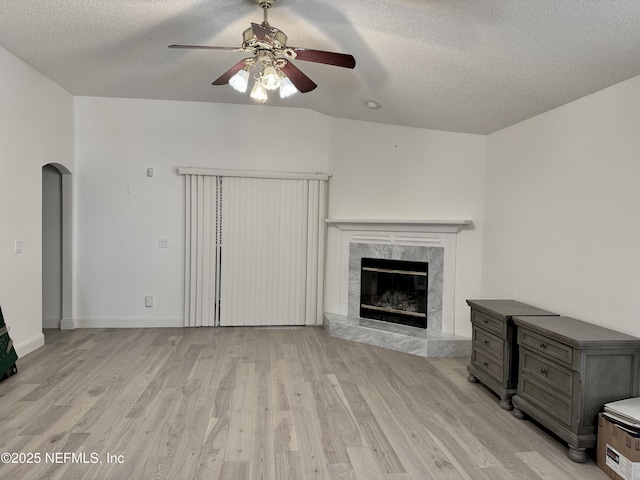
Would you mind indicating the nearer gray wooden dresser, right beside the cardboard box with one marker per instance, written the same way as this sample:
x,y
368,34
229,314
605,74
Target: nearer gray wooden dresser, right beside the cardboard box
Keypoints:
x,y
568,370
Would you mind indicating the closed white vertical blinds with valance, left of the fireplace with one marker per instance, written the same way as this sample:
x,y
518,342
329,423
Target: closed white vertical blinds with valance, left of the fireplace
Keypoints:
x,y
254,248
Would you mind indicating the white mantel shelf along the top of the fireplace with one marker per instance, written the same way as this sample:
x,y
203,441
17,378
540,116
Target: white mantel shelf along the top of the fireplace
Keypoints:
x,y
423,226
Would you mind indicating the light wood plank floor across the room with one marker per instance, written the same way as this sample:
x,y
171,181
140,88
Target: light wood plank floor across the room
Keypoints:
x,y
247,403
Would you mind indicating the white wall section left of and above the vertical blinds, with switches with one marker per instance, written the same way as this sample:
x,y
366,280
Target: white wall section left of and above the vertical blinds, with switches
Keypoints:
x,y
121,213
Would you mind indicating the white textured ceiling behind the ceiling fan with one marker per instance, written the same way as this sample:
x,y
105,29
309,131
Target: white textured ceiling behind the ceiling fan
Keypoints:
x,y
460,65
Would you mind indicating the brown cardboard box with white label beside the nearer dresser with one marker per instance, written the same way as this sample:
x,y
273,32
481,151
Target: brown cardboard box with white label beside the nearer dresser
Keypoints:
x,y
618,453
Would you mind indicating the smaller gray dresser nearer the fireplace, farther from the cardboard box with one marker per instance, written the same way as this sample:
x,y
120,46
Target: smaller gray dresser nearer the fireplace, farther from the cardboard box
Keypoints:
x,y
494,352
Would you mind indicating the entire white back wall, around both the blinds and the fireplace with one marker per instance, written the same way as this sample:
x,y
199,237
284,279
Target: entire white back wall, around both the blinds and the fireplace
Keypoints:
x,y
121,213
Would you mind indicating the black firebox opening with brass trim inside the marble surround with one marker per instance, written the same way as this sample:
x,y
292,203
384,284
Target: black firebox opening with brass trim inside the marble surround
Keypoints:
x,y
394,291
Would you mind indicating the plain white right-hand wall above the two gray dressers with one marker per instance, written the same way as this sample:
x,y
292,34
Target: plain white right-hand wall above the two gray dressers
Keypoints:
x,y
562,228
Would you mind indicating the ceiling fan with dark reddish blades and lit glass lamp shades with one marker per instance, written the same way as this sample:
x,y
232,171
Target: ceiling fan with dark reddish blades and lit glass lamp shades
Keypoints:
x,y
270,62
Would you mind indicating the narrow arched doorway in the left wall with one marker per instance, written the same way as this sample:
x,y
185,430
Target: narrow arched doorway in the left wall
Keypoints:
x,y
56,247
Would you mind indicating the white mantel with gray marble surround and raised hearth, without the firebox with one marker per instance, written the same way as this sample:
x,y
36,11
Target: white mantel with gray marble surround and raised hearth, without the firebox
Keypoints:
x,y
432,241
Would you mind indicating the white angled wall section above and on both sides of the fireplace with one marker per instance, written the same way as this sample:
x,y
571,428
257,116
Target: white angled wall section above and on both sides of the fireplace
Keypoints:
x,y
391,172
